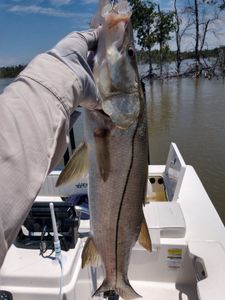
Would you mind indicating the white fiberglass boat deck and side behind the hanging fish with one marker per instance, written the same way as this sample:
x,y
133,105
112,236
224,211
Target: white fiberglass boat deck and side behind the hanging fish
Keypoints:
x,y
187,262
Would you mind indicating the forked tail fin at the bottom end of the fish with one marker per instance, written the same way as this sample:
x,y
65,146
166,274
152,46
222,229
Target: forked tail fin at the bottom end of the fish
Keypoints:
x,y
123,289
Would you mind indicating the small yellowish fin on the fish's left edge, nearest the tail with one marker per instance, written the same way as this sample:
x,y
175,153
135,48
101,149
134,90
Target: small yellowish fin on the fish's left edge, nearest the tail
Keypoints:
x,y
89,254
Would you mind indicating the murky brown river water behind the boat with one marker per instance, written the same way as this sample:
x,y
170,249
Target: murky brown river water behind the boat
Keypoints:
x,y
190,113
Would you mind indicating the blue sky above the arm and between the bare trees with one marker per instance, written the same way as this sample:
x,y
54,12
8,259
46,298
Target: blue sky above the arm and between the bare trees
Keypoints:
x,y
29,27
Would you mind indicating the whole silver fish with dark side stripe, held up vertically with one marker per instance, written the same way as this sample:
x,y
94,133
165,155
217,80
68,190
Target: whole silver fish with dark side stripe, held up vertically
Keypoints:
x,y
116,148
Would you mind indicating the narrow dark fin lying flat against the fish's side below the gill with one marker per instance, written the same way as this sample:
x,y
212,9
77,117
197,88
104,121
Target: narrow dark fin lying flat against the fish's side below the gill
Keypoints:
x,y
102,152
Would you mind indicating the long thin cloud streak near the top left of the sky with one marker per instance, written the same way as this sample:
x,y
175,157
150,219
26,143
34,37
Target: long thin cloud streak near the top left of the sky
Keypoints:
x,y
35,9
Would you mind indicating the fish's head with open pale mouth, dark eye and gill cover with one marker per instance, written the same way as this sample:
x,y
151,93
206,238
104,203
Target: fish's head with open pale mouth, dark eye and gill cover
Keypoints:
x,y
115,67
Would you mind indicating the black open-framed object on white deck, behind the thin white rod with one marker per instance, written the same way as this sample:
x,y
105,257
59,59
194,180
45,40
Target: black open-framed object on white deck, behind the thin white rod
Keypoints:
x,y
37,231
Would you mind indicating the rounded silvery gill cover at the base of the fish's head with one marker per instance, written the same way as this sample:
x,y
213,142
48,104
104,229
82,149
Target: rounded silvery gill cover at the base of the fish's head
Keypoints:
x,y
123,109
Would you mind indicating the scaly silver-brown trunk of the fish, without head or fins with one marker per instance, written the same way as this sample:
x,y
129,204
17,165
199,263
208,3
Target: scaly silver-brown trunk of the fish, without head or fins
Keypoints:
x,y
116,205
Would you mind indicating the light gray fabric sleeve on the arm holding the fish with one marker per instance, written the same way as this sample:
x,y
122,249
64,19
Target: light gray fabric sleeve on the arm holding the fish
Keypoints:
x,y
34,121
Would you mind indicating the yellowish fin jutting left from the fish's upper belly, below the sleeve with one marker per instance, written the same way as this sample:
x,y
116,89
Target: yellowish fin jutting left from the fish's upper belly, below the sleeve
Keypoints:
x,y
77,166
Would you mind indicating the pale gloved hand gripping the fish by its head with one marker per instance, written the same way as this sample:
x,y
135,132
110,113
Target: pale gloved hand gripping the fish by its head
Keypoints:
x,y
73,51
